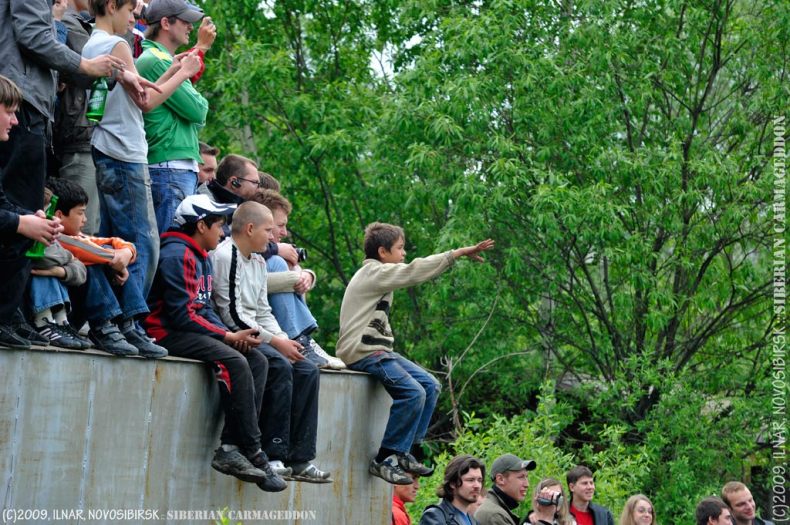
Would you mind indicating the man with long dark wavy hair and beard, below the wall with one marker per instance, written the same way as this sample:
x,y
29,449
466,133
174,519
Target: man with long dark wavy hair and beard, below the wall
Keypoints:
x,y
463,482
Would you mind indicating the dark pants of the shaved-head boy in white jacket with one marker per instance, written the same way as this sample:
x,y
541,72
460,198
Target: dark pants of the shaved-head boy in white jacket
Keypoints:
x,y
289,418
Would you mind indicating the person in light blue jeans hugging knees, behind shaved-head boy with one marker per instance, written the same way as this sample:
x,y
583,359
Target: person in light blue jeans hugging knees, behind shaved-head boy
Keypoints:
x,y
288,285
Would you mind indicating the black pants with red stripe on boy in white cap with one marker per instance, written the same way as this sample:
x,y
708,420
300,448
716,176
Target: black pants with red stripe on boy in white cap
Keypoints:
x,y
241,379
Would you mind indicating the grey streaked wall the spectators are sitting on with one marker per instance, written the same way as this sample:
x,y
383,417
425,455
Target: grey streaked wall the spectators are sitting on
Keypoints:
x,y
85,431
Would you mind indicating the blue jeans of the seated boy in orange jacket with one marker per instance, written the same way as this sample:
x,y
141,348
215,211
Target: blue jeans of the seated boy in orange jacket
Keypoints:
x,y
99,300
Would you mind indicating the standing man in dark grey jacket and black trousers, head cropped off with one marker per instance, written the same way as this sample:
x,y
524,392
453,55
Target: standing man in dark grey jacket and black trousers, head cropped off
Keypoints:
x,y
29,56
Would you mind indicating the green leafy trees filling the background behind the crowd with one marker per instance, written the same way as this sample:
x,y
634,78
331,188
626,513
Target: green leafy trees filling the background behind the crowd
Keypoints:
x,y
617,150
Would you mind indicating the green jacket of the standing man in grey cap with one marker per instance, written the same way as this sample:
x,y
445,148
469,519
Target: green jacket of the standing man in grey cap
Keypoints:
x,y
172,128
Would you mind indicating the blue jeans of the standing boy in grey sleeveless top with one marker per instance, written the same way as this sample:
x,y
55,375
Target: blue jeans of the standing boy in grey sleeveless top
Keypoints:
x,y
127,211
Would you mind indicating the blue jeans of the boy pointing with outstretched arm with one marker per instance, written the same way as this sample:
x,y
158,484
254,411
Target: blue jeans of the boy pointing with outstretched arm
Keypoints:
x,y
414,393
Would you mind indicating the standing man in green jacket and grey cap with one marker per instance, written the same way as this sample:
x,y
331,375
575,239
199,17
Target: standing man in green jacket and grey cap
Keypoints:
x,y
172,128
